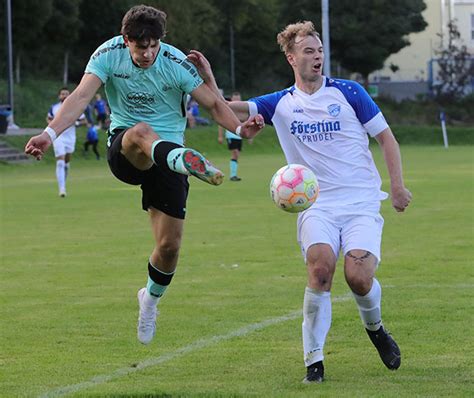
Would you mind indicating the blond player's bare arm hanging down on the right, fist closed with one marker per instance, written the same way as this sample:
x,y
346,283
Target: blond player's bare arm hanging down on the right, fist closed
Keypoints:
x,y
401,196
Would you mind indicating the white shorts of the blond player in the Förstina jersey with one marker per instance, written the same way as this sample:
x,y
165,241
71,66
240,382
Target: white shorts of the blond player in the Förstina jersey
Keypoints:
x,y
351,227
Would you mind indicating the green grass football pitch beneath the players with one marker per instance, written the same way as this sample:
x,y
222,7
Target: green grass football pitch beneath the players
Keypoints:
x,y
230,323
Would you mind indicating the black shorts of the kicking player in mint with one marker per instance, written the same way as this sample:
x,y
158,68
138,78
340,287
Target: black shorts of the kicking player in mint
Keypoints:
x,y
162,188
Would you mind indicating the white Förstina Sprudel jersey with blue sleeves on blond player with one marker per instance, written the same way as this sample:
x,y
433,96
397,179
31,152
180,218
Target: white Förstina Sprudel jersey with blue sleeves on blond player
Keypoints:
x,y
327,131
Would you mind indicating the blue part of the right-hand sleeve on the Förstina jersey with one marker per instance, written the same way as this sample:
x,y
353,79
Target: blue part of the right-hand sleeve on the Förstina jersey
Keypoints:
x,y
364,106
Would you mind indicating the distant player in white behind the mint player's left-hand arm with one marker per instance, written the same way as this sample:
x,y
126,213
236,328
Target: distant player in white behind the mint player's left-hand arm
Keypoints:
x,y
64,146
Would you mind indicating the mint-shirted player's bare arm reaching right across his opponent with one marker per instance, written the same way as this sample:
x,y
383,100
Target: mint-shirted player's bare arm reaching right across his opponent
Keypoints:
x,y
223,115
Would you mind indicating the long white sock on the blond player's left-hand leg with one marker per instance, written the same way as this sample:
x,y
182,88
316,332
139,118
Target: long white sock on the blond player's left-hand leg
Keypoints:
x,y
316,324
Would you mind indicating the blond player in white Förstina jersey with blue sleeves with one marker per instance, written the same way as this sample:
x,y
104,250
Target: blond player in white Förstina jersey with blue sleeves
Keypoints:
x,y
324,124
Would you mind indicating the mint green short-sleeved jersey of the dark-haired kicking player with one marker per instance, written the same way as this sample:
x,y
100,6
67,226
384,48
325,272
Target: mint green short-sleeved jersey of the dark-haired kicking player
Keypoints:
x,y
156,95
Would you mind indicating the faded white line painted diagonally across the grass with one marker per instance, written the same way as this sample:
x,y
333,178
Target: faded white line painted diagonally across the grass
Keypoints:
x,y
197,345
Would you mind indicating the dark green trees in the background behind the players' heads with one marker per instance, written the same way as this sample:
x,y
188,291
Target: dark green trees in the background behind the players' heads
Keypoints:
x,y
55,38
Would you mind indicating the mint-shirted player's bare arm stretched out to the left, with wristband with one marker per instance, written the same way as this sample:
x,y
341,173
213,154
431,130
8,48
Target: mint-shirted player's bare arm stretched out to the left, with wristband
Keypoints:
x,y
72,108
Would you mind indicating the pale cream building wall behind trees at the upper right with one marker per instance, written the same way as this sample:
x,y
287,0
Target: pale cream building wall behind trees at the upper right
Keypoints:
x,y
413,59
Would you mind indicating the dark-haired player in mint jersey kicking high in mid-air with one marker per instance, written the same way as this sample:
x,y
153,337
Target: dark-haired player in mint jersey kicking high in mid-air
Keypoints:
x,y
146,82
